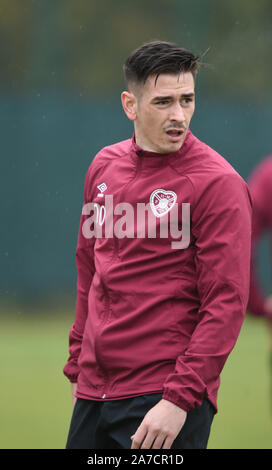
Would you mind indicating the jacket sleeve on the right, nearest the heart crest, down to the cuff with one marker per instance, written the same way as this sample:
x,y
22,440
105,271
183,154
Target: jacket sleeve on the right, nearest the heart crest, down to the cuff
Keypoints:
x,y
221,233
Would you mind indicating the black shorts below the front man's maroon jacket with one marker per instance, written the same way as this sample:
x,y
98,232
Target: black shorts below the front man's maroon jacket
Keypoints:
x,y
109,424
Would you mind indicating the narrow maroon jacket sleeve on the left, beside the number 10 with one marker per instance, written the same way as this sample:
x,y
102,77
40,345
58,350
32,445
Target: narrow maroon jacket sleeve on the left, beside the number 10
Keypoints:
x,y
85,272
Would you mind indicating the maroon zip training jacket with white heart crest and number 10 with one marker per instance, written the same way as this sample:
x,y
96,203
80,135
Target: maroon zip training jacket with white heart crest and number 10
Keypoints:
x,y
150,317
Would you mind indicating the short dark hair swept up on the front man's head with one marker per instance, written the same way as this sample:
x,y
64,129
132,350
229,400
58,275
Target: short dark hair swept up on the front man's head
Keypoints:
x,y
156,57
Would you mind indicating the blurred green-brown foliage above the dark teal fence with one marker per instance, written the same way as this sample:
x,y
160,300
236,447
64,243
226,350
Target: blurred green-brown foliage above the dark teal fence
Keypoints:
x,y
80,46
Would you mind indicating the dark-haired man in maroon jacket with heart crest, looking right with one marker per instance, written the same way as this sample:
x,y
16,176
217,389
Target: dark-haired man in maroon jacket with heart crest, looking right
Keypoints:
x,y
155,317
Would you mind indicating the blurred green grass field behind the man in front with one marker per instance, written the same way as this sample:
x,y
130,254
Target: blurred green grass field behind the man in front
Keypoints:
x,y
35,406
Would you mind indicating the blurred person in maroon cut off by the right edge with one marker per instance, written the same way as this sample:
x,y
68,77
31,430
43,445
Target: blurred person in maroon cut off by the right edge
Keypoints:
x,y
260,184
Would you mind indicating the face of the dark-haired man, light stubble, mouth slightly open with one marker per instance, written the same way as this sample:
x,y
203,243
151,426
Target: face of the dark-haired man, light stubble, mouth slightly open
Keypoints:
x,y
164,111
